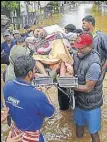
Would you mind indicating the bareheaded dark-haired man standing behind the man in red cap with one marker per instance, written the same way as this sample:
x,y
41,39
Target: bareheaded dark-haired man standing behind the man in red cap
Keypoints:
x,y
99,40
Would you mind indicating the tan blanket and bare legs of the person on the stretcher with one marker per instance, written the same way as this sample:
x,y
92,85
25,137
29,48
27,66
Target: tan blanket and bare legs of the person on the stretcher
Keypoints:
x,y
59,60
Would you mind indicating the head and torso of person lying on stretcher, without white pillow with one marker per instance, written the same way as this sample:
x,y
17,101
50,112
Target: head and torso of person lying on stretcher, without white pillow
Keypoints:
x,y
38,43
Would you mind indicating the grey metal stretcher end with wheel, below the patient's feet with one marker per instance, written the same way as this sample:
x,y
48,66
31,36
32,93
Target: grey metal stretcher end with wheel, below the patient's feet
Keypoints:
x,y
66,82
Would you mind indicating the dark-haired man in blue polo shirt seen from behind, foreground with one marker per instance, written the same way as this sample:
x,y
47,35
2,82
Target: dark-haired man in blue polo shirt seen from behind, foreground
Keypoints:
x,y
27,106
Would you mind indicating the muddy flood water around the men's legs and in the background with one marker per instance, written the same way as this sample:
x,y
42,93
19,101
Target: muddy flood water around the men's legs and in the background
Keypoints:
x,y
61,128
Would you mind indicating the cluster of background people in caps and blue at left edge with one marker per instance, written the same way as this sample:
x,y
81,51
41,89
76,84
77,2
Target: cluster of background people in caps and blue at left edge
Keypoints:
x,y
11,39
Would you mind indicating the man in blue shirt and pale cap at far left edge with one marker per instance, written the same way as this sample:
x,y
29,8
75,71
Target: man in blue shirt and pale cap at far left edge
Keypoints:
x,y
6,47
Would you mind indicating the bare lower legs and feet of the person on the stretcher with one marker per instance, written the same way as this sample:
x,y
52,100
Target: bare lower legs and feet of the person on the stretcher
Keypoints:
x,y
61,69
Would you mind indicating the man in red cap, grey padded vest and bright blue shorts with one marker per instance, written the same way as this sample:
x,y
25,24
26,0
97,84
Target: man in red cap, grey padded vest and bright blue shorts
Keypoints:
x,y
88,95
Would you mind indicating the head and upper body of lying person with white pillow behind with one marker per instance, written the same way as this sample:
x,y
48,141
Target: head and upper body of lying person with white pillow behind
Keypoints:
x,y
39,43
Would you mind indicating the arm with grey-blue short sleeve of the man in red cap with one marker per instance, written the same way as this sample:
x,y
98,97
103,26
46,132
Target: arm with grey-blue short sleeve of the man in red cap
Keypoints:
x,y
92,76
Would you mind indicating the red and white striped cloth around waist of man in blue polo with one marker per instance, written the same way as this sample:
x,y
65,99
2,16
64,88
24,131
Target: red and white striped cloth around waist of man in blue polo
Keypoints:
x,y
28,136
